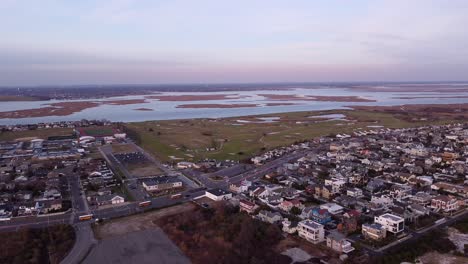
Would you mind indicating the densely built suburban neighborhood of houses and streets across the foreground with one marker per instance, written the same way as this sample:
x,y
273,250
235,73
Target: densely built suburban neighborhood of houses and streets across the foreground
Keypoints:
x,y
365,191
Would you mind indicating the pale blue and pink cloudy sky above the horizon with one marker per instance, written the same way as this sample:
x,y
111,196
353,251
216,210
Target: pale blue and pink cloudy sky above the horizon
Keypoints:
x,y
56,42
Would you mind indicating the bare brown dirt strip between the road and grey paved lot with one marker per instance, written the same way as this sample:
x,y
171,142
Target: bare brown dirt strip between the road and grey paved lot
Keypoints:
x,y
138,222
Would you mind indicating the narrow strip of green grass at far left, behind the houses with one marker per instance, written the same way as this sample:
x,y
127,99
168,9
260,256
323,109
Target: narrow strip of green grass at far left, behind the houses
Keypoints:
x,y
40,133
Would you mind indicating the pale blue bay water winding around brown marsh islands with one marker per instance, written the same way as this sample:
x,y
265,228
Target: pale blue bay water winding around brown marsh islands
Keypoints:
x,y
163,110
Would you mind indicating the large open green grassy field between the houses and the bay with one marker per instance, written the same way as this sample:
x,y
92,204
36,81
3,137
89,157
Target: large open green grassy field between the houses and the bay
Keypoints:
x,y
227,138
